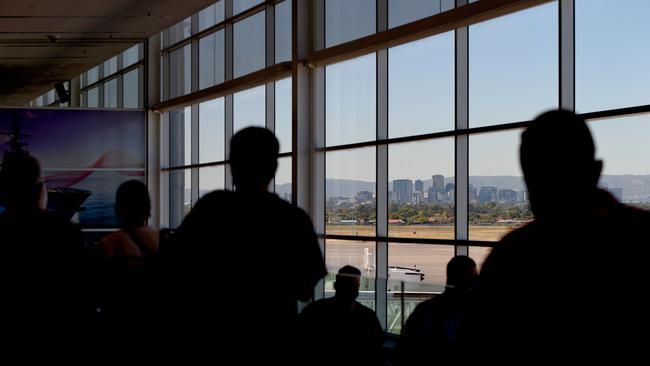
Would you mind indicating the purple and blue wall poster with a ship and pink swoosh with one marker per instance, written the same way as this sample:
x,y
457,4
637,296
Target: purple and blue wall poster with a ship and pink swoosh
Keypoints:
x,y
85,155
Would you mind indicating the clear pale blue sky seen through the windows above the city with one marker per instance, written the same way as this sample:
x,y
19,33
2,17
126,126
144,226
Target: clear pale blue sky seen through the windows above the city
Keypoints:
x,y
513,77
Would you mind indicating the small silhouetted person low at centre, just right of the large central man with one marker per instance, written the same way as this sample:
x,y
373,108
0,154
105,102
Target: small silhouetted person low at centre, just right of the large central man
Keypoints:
x,y
340,330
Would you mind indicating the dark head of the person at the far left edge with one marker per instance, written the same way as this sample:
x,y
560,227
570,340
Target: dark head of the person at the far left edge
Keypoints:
x,y
21,183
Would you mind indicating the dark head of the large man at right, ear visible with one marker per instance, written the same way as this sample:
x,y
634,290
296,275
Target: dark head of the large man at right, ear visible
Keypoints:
x,y
557,159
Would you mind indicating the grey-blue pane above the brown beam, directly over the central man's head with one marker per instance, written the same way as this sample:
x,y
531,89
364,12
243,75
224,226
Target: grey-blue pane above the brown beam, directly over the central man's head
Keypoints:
x,y
250,44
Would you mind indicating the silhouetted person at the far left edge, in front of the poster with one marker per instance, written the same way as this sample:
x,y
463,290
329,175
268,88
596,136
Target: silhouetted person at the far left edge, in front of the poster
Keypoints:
x,y
42,261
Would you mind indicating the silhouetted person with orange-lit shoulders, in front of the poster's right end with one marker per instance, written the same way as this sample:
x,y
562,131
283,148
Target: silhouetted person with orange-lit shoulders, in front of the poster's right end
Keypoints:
x,y
125,260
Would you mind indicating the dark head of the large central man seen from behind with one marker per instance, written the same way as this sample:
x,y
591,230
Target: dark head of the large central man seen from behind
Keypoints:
x,y
253,158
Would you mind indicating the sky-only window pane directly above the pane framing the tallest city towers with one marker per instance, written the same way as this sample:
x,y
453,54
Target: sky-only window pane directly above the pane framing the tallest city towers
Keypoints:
x,y
421,86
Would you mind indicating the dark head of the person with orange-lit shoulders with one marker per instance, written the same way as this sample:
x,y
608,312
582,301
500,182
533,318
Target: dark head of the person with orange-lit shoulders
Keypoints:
x,y
132,204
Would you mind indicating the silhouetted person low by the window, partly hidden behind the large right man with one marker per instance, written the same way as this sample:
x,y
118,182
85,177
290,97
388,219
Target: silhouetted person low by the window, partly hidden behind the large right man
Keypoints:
x,y
429,334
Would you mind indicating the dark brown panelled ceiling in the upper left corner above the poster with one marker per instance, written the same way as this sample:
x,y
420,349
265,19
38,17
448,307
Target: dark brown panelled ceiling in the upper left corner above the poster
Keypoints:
x,y
43,42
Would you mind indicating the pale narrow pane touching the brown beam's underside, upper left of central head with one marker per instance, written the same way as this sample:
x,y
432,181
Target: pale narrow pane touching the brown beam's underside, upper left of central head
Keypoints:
x,y
211,131
